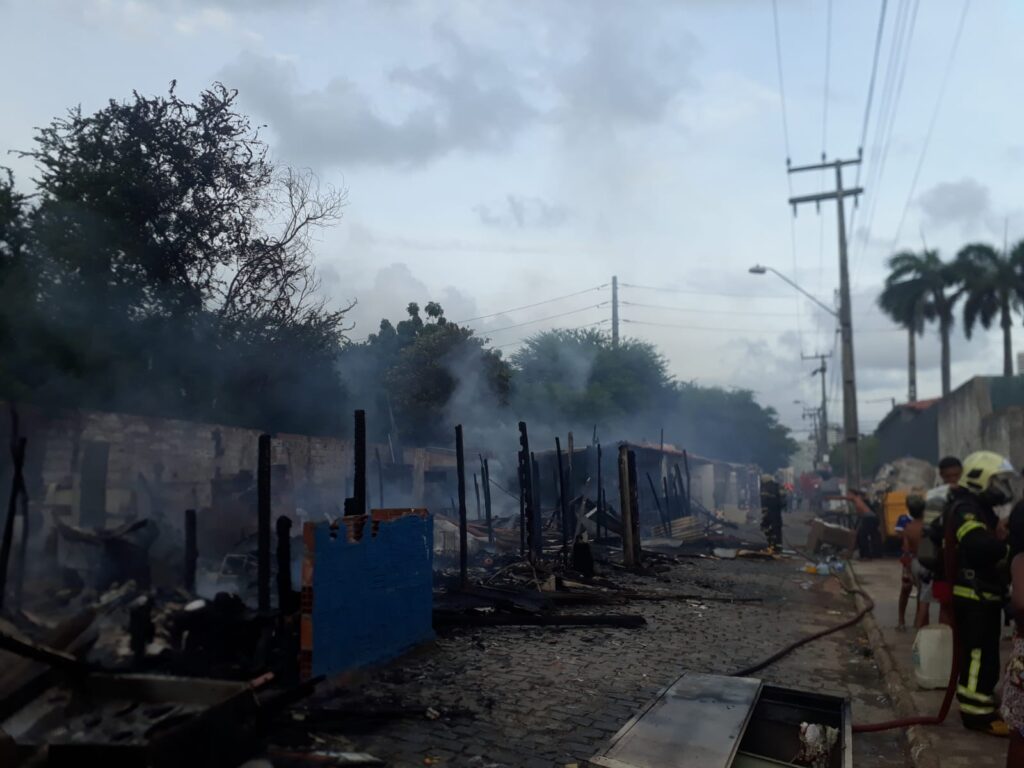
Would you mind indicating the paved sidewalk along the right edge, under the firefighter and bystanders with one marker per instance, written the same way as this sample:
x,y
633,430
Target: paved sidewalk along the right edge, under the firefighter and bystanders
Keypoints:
x,y
956,747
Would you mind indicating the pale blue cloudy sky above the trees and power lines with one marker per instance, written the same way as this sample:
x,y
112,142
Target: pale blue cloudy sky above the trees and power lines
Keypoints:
x,y
499,154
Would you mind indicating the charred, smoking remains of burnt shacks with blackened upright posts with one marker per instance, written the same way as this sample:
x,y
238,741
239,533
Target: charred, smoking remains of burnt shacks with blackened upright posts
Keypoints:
x,y
124,652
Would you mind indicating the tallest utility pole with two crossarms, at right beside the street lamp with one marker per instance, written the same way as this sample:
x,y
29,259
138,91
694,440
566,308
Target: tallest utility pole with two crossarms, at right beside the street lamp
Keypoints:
x,y
851,430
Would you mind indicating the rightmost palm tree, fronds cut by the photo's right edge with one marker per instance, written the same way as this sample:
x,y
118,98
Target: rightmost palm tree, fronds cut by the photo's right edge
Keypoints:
x,y
994,286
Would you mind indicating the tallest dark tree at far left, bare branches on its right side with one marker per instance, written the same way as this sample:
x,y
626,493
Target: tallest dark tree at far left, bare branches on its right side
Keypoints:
x,y
175,270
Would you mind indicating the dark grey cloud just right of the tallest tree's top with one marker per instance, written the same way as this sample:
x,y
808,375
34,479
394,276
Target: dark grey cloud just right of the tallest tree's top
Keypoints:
x,y
471,103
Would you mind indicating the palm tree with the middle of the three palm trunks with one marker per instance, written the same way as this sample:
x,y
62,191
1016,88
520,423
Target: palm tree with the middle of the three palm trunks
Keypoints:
x,y
927,285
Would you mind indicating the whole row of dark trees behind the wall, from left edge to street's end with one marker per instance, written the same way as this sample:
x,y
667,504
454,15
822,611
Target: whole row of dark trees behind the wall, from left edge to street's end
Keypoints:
x,y
164,268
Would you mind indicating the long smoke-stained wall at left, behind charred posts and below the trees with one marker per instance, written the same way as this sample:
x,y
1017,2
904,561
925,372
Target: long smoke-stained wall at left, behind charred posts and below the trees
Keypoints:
x,y
160,467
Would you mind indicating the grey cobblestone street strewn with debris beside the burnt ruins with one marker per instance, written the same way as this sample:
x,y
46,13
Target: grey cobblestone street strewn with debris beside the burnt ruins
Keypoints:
x,y
523,697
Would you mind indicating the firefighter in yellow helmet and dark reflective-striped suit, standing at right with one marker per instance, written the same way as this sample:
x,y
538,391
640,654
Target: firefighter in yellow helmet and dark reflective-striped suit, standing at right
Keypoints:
x,y
980,585
